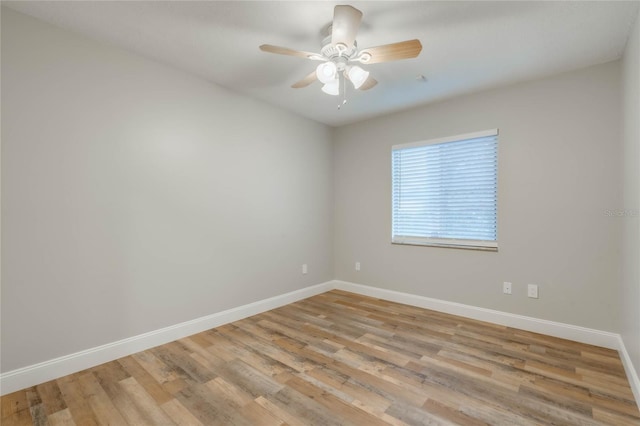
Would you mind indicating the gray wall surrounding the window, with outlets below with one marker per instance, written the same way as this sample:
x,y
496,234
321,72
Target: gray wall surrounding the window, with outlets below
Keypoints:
x,y
559,171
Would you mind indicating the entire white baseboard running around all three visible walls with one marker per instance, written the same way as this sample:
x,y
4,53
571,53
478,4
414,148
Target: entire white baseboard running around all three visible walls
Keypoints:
x,y
38,373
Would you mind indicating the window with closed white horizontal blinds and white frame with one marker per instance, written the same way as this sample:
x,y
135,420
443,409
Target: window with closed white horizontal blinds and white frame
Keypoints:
x,y
444,192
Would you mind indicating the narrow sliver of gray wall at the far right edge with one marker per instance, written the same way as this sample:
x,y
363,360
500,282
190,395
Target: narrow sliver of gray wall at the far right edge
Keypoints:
x,y
631,219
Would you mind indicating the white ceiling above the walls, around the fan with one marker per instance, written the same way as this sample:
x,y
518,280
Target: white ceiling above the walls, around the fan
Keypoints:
x,y
467,46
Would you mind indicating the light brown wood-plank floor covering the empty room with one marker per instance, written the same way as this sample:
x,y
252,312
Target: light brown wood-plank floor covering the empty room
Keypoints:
x,y
343,359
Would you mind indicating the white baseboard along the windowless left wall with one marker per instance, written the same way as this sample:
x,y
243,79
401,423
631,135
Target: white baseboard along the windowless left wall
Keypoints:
x,y
32,375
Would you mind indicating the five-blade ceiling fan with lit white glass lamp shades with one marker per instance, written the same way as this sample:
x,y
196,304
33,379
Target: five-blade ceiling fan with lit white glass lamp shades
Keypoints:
x,y
340,50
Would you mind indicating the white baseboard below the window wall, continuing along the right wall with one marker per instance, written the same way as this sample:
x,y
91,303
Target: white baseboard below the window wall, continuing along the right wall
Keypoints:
x,y
551,328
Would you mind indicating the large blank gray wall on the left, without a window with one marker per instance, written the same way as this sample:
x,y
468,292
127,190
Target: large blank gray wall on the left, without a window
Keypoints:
x,y
135,196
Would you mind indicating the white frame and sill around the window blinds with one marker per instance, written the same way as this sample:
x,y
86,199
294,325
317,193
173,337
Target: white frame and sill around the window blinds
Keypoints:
x,y
489,245
